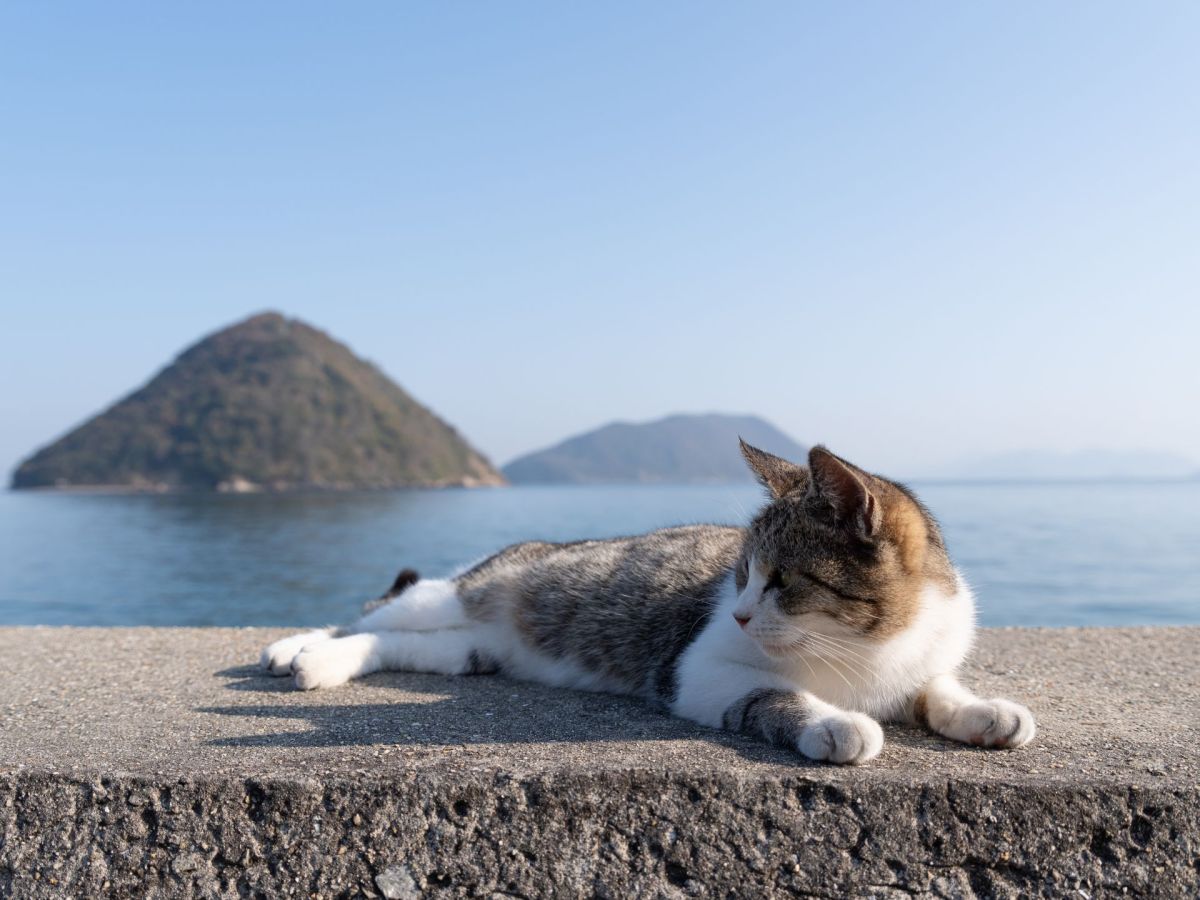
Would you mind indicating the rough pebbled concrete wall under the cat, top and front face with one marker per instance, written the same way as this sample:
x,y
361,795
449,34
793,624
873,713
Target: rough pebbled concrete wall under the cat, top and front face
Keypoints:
x,y
160,763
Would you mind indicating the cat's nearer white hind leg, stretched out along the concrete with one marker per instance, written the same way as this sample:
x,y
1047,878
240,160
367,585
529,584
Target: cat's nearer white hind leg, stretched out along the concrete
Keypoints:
x,y
446,652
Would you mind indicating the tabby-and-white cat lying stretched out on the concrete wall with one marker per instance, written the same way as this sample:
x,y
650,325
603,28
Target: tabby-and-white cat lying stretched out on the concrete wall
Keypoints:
x,y
838,608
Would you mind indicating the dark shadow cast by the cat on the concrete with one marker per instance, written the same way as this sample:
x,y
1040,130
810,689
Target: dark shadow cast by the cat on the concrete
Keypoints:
x,y
439,711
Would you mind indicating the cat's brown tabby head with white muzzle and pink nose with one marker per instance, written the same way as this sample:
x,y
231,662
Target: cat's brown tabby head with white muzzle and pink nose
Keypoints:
x,y
837,554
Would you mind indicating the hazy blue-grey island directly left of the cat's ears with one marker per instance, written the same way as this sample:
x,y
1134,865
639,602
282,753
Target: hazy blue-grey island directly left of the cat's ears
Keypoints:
x,y
677,449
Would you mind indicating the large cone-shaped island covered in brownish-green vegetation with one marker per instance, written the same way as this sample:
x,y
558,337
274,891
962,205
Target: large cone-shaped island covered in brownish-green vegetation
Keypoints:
x,y
267,405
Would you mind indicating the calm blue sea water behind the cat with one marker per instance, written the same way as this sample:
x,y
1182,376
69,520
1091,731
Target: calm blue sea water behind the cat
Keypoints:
x,y
1037,555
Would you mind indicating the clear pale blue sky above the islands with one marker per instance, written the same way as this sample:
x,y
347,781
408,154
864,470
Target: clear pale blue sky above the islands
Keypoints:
x,y
911,231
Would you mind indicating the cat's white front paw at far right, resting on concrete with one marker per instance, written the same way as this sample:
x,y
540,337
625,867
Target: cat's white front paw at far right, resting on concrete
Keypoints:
x,y
949,709
